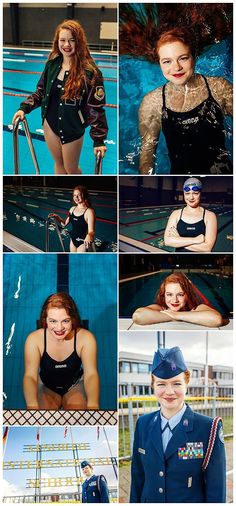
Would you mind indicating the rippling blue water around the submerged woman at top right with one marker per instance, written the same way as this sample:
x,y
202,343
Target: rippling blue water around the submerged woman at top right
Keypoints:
x,y
137,77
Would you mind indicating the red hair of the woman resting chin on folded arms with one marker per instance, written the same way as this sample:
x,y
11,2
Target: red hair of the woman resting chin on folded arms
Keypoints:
x,y
192,300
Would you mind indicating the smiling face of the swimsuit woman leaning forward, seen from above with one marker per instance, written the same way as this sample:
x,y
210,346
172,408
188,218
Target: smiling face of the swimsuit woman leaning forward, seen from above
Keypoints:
x,y
59,323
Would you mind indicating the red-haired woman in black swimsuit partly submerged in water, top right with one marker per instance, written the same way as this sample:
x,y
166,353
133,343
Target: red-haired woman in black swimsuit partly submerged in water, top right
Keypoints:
x,y
189,109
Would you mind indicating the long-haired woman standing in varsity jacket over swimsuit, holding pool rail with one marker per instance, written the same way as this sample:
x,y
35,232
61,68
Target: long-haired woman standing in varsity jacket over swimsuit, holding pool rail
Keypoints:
x,y
71,95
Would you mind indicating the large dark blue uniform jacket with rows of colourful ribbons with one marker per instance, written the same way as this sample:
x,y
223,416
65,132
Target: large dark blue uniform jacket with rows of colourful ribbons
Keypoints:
x,y
158,478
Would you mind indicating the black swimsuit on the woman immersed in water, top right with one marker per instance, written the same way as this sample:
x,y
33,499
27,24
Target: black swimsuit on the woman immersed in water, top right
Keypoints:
x,y
195,139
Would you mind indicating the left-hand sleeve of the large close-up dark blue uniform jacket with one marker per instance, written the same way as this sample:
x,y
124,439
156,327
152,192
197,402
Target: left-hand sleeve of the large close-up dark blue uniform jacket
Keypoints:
x,y
137,471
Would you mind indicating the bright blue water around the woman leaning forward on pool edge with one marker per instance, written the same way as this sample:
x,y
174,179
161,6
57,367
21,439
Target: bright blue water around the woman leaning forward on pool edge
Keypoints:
x,y
88,279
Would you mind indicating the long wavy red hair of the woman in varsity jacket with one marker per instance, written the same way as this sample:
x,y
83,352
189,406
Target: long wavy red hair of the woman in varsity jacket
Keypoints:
x,y
81,60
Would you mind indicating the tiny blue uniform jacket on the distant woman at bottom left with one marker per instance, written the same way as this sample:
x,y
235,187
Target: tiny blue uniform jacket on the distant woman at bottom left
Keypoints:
x,y
95,489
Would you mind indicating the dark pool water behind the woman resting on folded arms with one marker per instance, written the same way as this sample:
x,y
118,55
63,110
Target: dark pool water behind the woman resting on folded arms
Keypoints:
x,y
139,292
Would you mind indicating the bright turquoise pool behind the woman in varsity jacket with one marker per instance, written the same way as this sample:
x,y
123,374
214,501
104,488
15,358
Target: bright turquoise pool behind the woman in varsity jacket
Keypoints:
x,y
22,69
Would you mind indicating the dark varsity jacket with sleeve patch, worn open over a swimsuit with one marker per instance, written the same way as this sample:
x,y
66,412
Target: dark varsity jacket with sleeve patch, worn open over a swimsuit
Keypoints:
x,y
76,114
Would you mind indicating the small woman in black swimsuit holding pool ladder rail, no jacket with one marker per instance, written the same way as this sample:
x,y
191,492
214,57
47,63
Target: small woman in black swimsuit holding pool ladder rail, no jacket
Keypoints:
x,y
82,218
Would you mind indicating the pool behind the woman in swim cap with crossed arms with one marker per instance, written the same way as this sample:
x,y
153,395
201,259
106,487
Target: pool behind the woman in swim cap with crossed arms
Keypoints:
x,y
142,227
